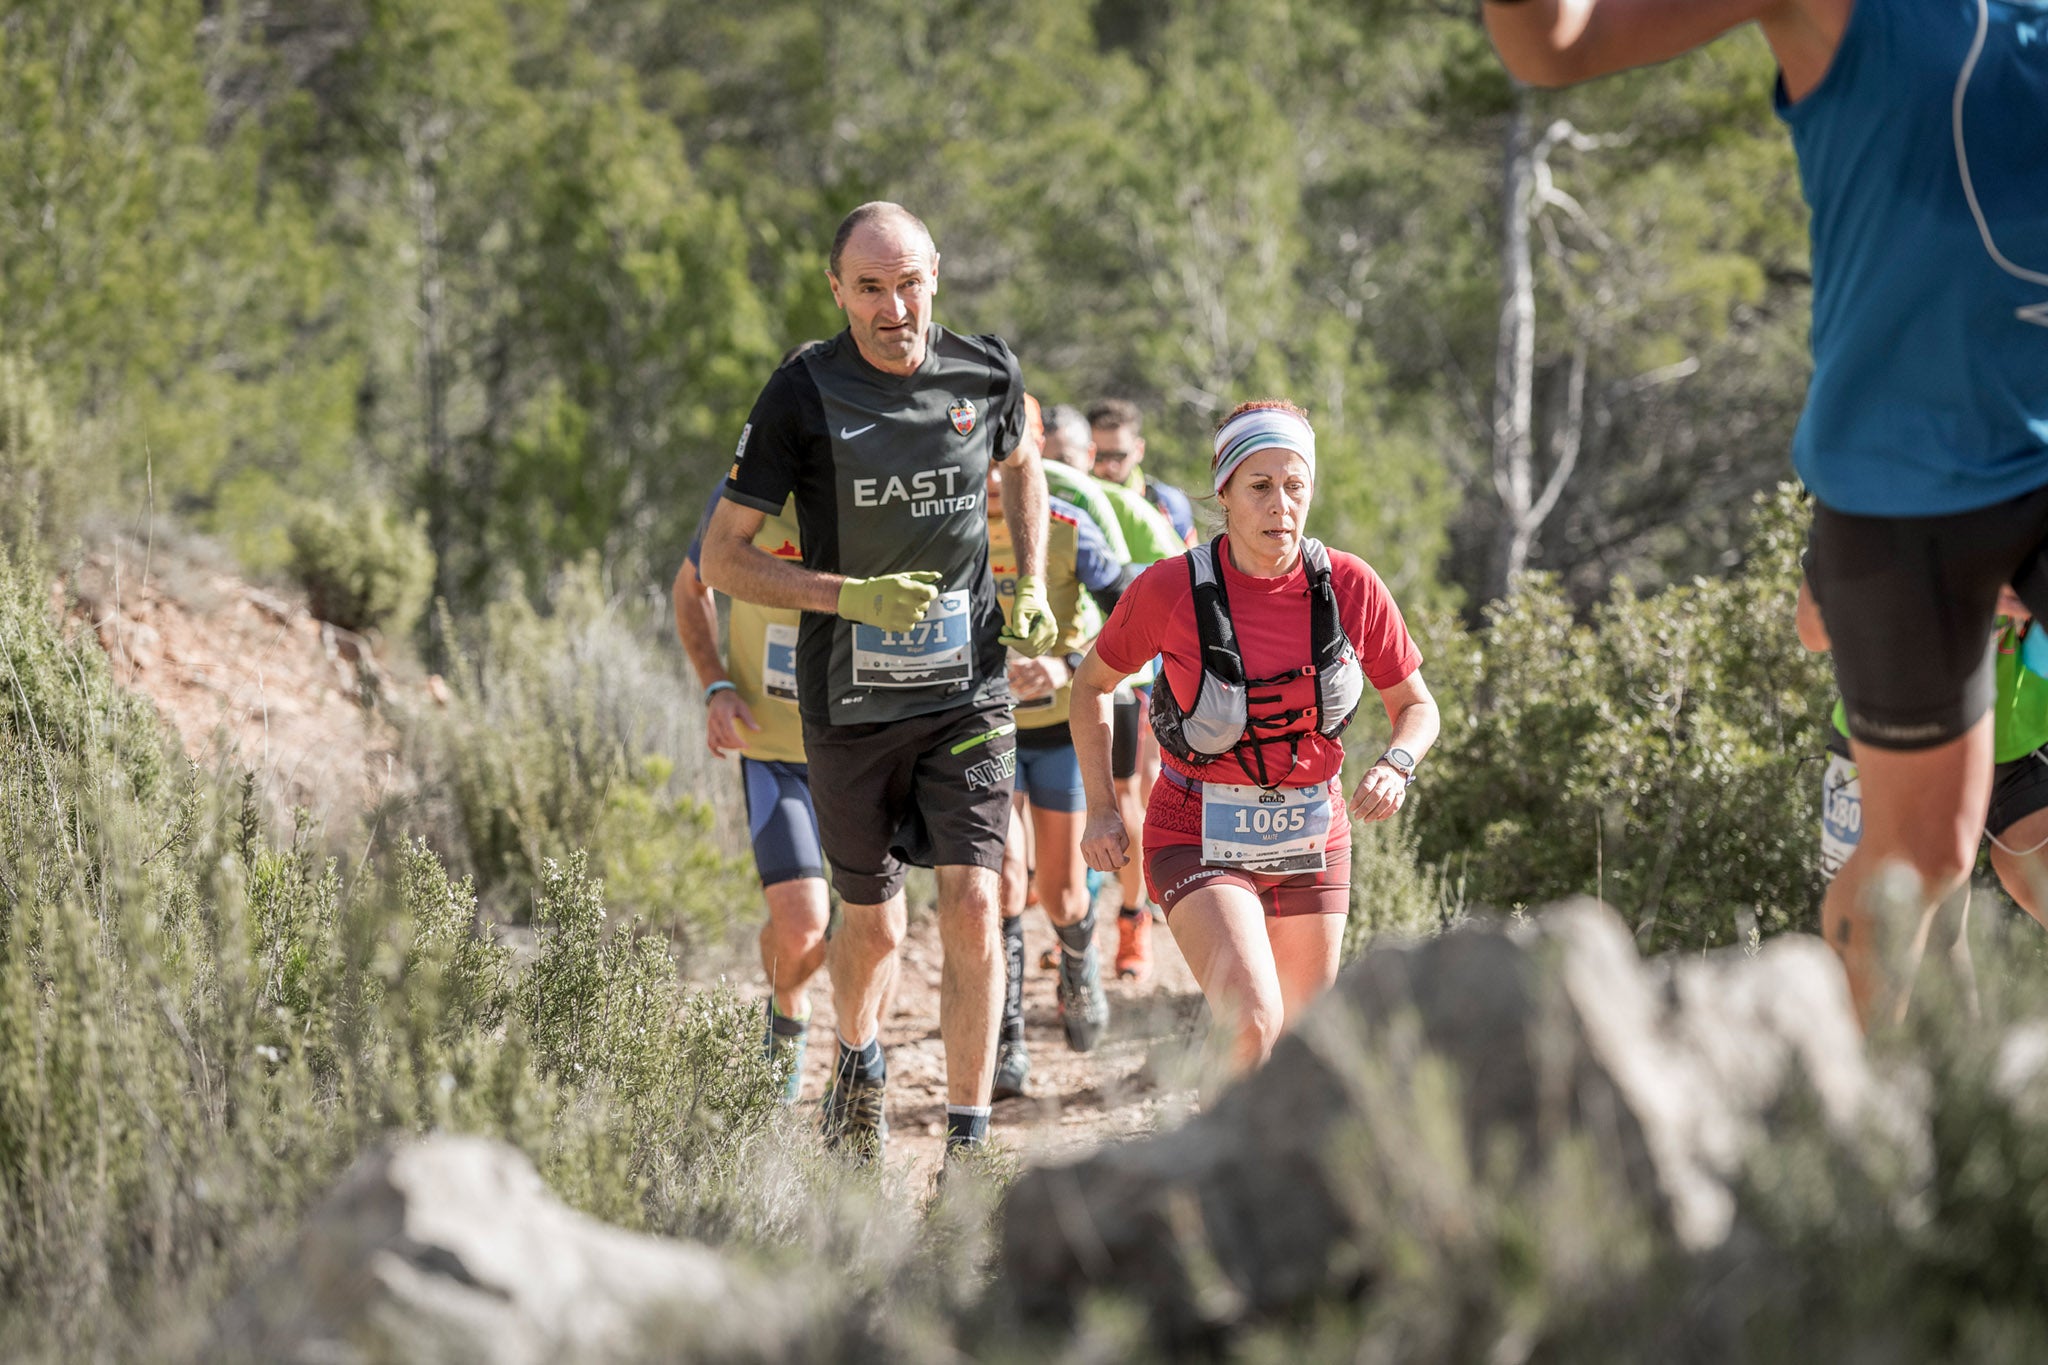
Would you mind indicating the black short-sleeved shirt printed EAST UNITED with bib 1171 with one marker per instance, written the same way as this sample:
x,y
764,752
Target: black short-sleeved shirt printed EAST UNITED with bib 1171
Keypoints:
x,y
890,474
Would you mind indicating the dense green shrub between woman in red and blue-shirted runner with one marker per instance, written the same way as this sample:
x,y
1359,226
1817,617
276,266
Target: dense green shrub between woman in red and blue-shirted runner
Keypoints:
x,y
1662,756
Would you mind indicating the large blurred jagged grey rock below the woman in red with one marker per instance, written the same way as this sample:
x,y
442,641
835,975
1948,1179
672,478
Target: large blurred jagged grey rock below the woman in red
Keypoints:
x,y
1437,1069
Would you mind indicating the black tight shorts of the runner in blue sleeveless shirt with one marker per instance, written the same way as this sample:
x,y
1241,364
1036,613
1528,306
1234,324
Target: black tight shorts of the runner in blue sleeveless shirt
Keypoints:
x,y
1908,607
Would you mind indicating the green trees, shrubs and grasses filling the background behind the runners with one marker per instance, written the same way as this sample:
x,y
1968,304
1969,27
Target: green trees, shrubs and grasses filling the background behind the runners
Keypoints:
x,y
497,281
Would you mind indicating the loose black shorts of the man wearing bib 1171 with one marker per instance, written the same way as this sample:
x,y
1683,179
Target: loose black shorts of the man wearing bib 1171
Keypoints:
x,y
931,791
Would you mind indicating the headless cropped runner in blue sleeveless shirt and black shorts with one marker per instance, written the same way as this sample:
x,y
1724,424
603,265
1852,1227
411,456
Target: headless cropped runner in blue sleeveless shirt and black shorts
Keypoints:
x,y
1922,138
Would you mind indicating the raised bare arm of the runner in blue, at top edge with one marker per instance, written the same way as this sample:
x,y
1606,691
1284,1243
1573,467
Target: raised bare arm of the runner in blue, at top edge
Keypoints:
x,y
1566,42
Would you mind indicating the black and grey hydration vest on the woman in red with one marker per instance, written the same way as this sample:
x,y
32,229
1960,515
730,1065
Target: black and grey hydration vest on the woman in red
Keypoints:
x,y
1220,719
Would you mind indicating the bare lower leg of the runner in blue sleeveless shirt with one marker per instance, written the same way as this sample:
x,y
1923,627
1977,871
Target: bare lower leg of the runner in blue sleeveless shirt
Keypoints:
x,y
1924,811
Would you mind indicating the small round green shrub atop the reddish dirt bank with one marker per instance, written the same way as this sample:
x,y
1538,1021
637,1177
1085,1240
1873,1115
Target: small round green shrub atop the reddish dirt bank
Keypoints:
x,y
364,570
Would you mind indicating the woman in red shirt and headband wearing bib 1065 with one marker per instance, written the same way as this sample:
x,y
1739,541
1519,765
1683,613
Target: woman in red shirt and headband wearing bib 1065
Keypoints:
x,y
1246,844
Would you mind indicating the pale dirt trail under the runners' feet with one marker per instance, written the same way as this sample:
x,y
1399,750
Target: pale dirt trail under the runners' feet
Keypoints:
x,y
1132,1084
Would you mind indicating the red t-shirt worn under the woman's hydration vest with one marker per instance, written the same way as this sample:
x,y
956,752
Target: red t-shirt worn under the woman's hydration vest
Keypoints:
x,y
1156,617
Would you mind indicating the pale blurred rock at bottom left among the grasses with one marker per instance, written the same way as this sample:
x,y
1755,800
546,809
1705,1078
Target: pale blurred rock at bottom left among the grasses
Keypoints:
x,y
452,1249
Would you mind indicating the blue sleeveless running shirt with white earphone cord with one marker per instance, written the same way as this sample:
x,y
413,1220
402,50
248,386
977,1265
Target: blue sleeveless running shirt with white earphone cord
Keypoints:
x,y
1924,155
